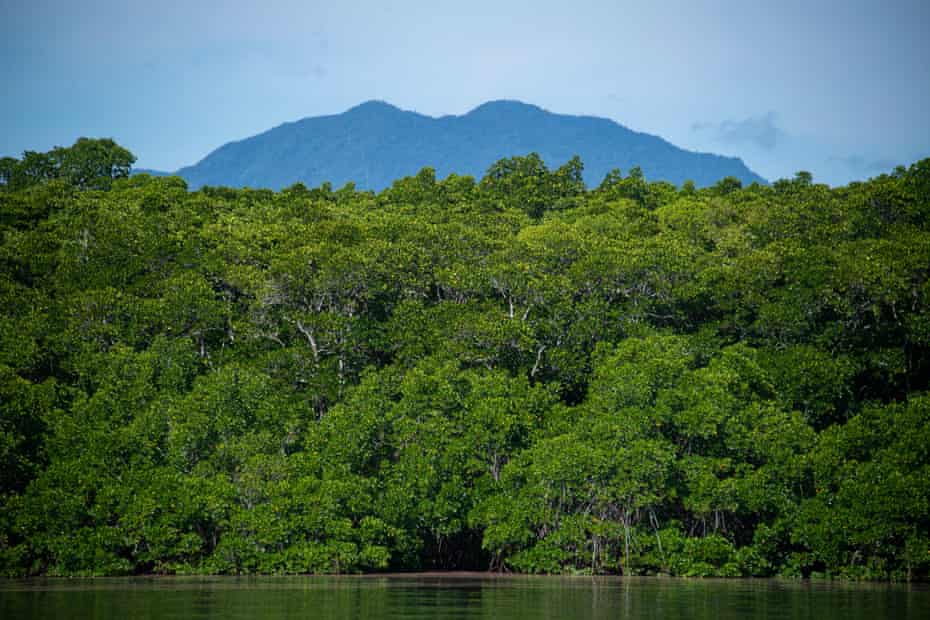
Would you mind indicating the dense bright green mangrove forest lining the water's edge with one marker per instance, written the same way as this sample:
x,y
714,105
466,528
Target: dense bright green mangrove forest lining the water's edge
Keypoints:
x,y
516,373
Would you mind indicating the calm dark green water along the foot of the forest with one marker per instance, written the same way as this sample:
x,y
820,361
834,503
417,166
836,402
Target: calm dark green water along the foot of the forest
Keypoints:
x,y
457,596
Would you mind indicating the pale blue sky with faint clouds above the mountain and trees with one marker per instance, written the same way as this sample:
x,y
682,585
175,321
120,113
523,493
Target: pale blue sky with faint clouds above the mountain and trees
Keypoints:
x,y
840,88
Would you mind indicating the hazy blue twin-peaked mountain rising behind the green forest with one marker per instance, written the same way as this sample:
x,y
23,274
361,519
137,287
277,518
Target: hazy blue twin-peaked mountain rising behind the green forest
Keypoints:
x,y
375,143
